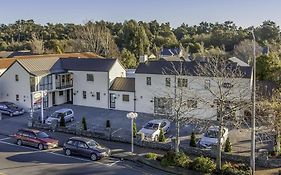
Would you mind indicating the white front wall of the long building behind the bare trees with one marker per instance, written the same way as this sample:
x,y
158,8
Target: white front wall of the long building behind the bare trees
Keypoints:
x,y
195,90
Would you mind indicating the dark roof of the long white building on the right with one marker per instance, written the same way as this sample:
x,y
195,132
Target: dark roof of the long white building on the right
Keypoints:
x,y
184,67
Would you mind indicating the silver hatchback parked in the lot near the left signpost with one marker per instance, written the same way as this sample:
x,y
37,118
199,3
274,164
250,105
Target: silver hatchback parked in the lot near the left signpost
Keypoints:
x,y
56,116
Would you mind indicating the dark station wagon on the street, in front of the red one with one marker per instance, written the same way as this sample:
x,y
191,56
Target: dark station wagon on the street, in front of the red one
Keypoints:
x,y
85,147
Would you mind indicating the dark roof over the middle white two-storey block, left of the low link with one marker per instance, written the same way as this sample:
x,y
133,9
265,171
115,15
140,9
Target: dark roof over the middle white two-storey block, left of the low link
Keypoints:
x,y
77,64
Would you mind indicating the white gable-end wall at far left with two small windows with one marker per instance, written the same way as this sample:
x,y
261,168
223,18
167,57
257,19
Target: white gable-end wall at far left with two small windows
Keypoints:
x,y
9,87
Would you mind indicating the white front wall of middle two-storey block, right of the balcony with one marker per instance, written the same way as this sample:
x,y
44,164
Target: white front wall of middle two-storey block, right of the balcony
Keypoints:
x,y
81,84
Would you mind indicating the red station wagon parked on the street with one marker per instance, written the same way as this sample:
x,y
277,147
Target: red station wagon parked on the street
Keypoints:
x,y
35,138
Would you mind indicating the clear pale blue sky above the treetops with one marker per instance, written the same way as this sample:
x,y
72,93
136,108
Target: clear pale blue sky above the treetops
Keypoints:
x,y
242,12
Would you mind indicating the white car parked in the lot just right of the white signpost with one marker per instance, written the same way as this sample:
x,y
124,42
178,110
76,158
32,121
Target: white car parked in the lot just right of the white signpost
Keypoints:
x,y
151,129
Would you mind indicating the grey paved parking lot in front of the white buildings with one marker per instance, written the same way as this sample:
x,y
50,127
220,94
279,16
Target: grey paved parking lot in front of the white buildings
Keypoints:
x,y
96,119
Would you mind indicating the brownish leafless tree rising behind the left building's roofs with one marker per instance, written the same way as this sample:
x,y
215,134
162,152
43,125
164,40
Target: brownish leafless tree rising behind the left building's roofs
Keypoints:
x,y
93,37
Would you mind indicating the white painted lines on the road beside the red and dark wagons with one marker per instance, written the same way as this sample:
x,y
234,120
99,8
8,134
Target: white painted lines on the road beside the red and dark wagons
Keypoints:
x,y
54,153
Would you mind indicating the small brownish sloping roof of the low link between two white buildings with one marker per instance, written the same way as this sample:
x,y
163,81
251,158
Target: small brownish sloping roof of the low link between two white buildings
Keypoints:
x,y
123,84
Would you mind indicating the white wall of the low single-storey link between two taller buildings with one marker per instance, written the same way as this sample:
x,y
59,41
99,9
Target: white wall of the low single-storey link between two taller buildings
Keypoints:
x,y
124,105
